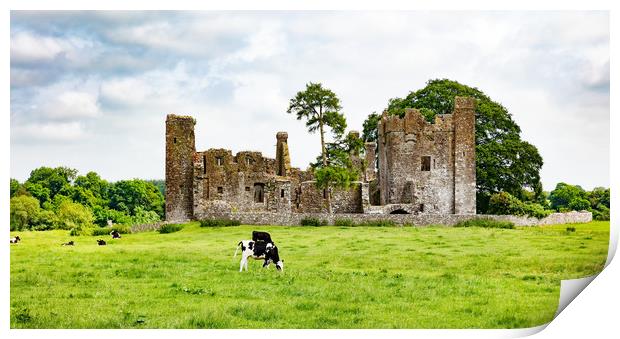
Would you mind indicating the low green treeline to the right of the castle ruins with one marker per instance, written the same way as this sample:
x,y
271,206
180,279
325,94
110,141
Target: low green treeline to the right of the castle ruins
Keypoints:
x,y
563,198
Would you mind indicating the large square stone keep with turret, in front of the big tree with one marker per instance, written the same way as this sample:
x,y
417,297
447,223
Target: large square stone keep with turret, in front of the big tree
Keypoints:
x,y
431,166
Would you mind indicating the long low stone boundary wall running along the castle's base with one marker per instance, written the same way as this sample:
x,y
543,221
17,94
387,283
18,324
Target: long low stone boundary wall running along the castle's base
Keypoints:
x,y
292,219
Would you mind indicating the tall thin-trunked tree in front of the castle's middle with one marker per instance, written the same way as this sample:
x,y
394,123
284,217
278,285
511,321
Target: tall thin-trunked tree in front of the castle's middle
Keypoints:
x,y
320,108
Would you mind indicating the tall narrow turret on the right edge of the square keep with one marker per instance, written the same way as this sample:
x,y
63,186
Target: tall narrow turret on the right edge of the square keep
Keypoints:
x,y
464,155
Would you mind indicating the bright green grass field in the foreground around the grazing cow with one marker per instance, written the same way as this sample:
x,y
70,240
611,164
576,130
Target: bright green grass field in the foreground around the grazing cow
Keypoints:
x,y
335,277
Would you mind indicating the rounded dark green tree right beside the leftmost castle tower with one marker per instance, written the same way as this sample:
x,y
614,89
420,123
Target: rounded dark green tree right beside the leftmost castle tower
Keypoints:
x,y
128,195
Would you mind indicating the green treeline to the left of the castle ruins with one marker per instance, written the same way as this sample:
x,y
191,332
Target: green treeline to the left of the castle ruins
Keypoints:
x,y
59,198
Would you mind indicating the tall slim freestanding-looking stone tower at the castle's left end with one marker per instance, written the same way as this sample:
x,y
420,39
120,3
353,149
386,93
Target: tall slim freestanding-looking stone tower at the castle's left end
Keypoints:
x,y
180,150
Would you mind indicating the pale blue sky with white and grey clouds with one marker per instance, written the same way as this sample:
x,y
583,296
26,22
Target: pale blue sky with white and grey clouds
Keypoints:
x,y
90,90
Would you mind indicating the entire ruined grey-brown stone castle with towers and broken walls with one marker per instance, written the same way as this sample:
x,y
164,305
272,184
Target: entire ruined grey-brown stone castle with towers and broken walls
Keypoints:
x,y
423,168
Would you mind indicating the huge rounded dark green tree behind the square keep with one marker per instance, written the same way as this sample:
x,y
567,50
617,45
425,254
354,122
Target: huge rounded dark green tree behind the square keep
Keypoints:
x,y
504,162
